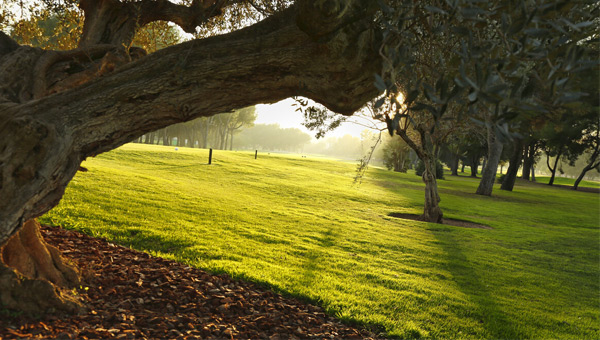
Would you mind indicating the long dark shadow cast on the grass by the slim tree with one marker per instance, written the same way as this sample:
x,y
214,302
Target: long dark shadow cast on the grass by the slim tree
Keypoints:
x,y
491,316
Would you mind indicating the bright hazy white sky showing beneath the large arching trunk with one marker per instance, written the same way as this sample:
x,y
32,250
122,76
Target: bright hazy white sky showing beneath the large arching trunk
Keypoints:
x,y
284,114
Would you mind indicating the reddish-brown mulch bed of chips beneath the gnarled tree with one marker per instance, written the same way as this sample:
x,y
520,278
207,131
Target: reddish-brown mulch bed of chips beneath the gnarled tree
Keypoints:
x,y
132,295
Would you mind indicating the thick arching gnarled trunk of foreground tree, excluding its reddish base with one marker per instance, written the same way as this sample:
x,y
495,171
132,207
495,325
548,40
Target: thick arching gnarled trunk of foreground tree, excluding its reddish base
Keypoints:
x,y
288,54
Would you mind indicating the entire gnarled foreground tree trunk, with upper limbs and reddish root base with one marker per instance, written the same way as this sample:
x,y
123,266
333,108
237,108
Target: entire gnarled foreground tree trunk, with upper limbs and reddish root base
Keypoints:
x,y
52,116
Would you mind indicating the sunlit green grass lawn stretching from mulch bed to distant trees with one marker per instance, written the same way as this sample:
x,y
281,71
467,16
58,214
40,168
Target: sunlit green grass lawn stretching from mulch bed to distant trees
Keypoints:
x,y
301,226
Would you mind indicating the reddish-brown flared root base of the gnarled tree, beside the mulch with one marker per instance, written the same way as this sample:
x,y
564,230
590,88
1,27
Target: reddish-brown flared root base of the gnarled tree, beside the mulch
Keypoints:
x,y
31,272
